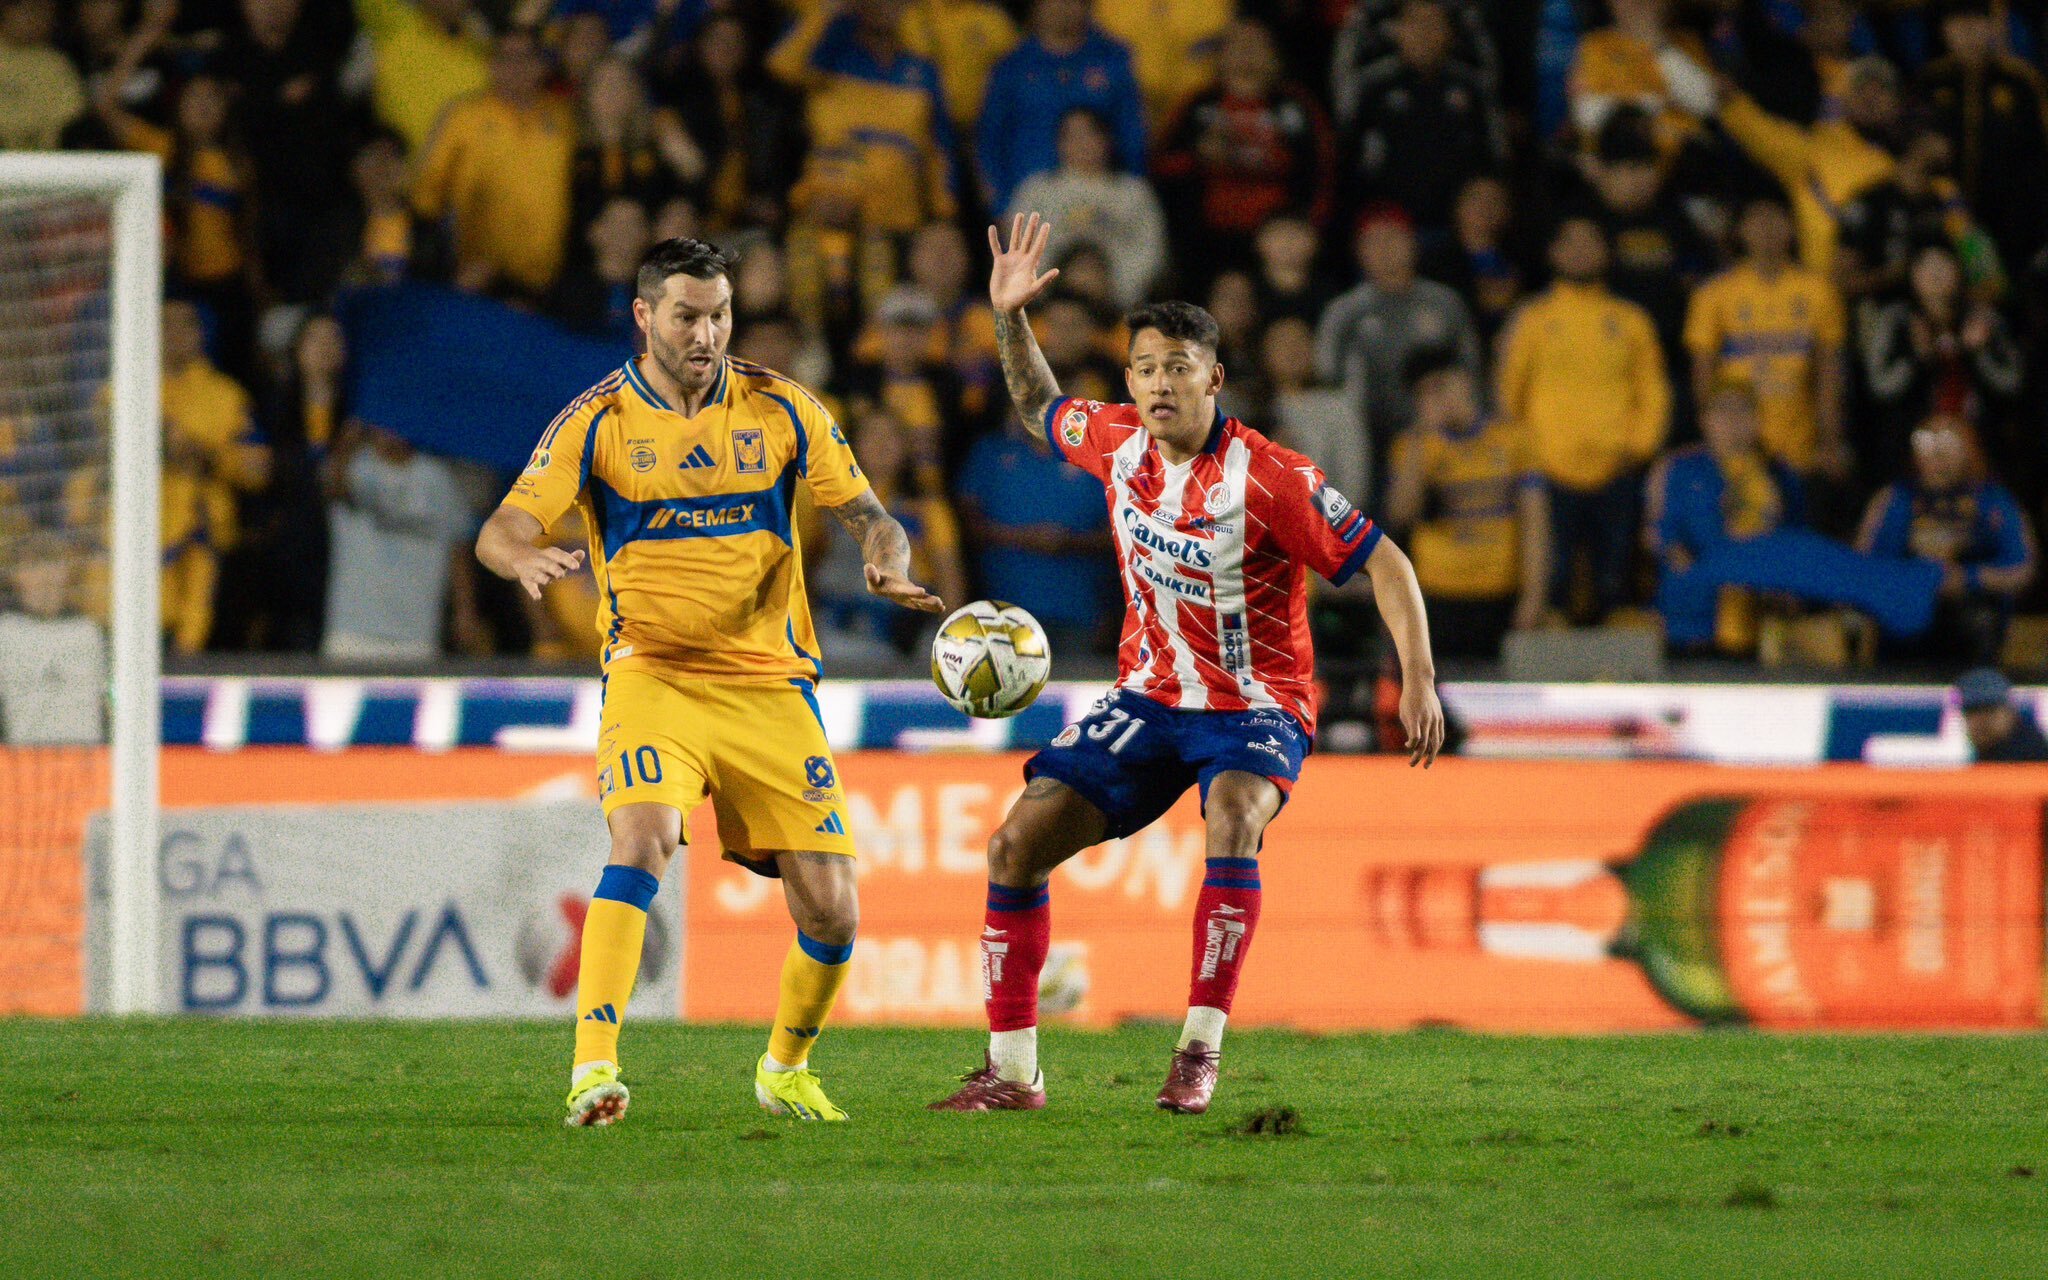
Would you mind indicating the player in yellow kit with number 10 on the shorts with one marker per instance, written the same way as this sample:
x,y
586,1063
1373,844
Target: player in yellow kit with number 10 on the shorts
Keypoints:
x,y
685,466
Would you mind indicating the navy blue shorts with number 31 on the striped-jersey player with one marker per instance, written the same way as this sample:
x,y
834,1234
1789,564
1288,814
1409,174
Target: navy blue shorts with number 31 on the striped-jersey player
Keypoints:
x,y
1132,757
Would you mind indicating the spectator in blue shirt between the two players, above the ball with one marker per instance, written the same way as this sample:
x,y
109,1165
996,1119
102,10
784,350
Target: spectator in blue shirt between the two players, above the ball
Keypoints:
x,y
1041,538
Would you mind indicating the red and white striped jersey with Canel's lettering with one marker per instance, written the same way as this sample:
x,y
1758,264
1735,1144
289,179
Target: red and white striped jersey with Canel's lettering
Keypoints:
x,y
1215,558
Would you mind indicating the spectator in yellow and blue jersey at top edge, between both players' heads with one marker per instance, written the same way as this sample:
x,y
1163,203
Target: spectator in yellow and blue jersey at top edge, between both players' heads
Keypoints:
x,y
882,140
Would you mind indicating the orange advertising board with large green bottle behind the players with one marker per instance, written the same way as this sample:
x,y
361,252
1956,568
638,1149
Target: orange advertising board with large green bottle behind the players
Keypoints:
x,y
1476,894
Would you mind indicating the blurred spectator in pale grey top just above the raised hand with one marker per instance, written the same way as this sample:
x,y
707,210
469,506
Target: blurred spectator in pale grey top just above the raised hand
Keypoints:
x,y
1089,202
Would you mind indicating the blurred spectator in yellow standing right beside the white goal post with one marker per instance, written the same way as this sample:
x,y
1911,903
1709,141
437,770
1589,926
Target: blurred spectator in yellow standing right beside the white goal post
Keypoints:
x,y
212,454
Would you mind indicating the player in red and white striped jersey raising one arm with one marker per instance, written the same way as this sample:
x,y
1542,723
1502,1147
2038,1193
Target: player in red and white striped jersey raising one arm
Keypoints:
x,y
1218,531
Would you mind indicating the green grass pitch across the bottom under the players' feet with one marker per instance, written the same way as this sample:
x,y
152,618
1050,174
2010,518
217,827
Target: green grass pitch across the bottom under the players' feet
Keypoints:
x,y
437,1150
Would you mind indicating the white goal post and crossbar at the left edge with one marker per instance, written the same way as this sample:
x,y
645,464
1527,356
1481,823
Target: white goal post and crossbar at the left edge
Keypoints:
x,y
132,187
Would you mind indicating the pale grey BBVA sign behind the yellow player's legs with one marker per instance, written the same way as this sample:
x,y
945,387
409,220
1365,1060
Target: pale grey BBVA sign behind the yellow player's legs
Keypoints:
x,y
384,912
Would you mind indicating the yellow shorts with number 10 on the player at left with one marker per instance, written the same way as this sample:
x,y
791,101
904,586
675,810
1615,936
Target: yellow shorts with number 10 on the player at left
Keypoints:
x,y
757,751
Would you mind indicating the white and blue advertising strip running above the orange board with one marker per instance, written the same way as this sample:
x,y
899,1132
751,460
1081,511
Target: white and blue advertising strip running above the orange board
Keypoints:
x,y
1727,724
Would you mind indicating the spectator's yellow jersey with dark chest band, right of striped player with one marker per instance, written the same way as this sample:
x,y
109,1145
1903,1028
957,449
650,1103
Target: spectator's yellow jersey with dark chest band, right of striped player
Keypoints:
x,y
1469,542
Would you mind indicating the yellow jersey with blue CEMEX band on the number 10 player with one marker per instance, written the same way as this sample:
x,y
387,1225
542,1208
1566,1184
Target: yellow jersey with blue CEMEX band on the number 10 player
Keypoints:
x,y
697,558
